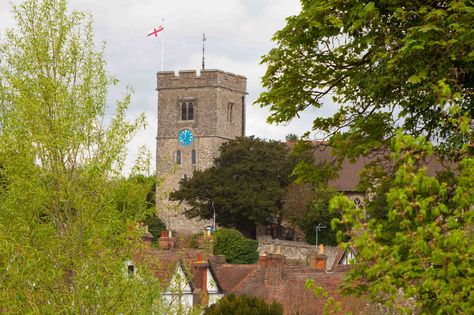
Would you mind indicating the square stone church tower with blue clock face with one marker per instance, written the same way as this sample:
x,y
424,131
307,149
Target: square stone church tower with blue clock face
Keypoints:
x,y
196,114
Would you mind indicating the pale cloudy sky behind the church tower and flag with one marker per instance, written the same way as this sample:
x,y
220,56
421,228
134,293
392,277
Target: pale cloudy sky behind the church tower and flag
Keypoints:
x,y
238,32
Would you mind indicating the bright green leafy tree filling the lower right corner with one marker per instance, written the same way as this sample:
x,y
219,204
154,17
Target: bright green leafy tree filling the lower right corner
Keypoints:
x,y
421,254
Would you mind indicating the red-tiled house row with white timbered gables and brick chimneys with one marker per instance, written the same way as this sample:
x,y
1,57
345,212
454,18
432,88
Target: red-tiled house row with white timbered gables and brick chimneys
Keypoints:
x,y
189,280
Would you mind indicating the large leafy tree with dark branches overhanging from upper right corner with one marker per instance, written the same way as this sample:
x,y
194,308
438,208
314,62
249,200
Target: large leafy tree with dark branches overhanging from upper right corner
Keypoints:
x,y
389,64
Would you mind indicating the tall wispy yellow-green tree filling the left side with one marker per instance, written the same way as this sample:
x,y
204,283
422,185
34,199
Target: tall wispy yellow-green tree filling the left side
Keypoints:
x,y
63,235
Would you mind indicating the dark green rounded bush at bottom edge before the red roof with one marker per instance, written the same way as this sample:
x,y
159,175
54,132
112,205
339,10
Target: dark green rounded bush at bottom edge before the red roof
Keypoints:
x,y
243,305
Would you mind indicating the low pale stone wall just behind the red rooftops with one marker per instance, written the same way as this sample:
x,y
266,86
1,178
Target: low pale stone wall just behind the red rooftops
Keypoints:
x,y
295,250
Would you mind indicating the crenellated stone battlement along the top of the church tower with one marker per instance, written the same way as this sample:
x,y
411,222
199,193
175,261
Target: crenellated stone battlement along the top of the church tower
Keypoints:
x,y
207,78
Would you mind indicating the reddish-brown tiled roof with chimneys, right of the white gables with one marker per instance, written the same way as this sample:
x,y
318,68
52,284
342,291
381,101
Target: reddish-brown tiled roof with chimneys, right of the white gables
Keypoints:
x,y
274,279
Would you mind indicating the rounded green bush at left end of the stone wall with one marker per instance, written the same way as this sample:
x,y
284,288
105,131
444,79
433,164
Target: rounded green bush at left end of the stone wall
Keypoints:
x,y
235,247
